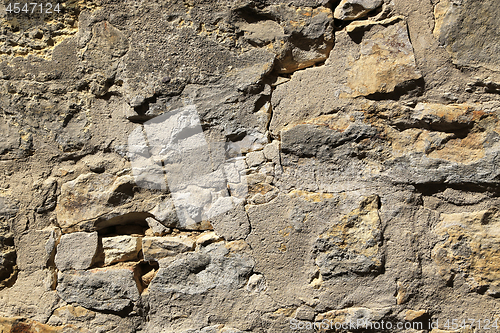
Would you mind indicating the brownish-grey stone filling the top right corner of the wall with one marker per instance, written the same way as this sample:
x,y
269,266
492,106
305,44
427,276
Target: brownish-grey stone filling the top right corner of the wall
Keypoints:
x,y
464,29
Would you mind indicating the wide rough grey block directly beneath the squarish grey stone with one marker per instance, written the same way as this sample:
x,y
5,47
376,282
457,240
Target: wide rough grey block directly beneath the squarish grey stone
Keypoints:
x,y
101,289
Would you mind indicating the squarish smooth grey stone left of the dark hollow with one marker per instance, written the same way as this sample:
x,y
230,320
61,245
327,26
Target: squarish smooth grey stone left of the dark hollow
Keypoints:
x,y
76,251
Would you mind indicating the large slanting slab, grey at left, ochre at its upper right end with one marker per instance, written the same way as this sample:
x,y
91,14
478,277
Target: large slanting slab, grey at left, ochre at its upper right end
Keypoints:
x,y
382,63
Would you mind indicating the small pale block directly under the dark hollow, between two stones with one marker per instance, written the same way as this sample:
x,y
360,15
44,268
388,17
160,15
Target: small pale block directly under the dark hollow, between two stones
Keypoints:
x,y
120,248
